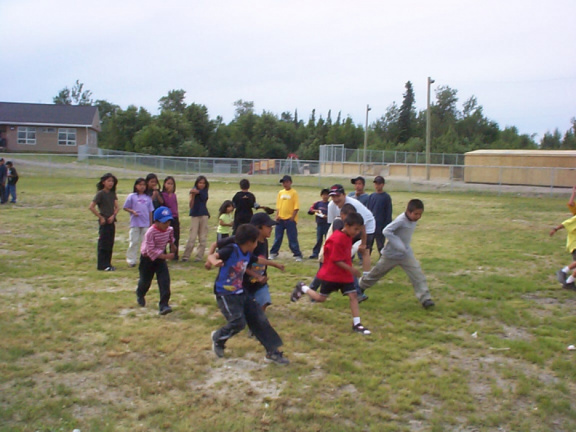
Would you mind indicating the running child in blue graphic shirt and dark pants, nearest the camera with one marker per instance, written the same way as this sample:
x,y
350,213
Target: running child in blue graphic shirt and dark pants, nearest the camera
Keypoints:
x,y
234,302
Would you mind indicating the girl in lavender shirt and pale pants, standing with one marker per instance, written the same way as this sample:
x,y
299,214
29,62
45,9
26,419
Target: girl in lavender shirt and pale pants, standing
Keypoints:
x,y
140,207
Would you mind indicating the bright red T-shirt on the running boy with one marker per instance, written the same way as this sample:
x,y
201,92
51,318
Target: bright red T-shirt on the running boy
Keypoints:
x,y
338,247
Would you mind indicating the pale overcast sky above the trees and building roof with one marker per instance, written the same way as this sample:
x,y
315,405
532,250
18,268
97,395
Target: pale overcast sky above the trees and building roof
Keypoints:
x,y
517,57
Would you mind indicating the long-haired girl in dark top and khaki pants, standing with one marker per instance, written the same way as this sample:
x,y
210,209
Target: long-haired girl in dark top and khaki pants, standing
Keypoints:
x,y
199,216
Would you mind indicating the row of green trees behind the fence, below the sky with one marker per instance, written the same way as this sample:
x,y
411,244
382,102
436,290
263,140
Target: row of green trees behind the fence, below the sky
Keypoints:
x,y
187,130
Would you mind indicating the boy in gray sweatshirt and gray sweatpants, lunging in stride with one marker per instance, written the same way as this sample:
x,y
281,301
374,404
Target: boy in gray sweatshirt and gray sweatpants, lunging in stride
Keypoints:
x,y
398,252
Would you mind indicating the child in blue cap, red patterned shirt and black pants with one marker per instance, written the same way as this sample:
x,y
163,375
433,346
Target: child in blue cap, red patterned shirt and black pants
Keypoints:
x,y
153,259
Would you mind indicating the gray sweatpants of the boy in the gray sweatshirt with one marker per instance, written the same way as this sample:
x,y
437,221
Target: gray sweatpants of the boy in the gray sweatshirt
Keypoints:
x,y
409,264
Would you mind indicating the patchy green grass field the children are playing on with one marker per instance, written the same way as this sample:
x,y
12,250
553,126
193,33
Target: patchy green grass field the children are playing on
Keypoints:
x,y
76,351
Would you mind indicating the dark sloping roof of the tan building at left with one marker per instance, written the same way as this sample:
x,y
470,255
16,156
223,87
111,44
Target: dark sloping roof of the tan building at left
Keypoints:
x,y
14,113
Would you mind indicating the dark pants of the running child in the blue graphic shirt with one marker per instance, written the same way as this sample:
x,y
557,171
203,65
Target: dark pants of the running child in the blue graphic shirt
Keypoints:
x,y
241,309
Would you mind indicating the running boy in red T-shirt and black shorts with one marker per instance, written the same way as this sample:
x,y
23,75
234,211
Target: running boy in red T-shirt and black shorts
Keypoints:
x,y
337,273
